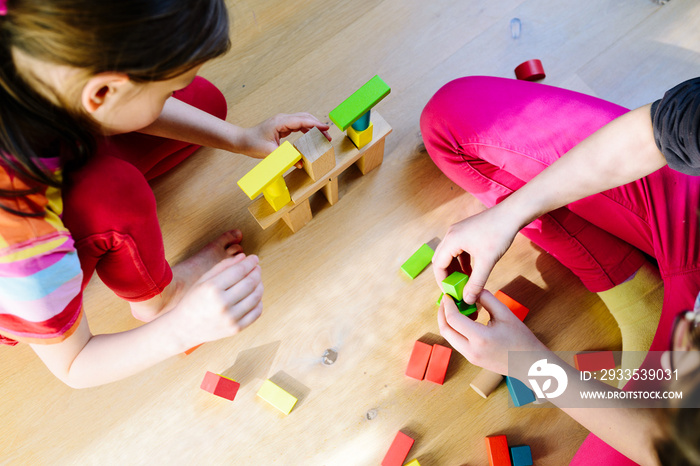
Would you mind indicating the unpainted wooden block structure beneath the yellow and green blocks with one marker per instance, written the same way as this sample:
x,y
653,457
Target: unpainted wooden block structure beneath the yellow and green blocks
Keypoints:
x,y
302,185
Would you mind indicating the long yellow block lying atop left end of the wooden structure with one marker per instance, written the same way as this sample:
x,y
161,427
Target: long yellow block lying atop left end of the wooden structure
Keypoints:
x,y
269,170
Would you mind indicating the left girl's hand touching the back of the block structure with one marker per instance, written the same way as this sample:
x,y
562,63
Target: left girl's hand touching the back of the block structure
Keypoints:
x,y
264,138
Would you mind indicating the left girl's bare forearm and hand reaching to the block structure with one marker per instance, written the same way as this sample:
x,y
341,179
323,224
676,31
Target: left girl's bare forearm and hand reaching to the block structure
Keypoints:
x,y
183,122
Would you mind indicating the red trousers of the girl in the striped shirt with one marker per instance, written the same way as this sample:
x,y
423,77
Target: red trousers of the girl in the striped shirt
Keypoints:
x,y
110,209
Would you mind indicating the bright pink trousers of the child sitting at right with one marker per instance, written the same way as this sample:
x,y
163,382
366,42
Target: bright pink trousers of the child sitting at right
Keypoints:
x,y
491,135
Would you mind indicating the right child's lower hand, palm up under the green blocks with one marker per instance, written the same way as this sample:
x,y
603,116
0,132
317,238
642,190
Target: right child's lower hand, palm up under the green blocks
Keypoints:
x,y
486,345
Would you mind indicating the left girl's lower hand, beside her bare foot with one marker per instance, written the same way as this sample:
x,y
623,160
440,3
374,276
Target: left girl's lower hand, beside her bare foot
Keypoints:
x,y
224,301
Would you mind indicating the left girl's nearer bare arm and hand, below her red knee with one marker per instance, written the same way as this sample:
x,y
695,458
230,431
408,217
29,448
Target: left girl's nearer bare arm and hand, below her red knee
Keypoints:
x,y
223,302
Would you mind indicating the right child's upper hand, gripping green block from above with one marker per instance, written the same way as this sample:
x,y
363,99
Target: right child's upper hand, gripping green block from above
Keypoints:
x,y
485,237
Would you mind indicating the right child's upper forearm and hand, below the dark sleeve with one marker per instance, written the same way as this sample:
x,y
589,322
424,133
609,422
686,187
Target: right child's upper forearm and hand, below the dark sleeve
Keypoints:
x,y
621,152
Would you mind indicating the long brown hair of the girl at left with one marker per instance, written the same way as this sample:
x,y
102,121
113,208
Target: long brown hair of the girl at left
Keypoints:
x,y
148,40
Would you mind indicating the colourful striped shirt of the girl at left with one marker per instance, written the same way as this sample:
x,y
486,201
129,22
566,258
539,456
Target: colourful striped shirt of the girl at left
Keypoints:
x,y
40,274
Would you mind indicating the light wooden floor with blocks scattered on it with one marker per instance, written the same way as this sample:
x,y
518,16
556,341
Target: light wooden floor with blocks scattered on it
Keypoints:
x,y
336,283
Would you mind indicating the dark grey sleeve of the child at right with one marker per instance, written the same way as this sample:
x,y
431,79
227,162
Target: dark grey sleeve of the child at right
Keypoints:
x,y
676,120
